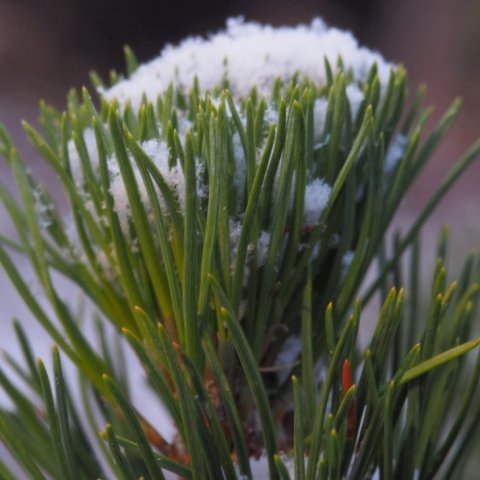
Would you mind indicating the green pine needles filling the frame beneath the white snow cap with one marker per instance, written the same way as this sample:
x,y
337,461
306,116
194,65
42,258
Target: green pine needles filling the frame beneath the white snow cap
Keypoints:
x,y
212,319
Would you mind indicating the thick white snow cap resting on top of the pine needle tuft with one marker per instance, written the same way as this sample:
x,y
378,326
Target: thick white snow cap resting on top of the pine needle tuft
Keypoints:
x,y
250,54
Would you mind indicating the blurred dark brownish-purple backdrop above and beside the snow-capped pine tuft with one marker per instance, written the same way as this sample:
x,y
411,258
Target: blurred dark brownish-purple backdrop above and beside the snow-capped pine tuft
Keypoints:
x,y
48,46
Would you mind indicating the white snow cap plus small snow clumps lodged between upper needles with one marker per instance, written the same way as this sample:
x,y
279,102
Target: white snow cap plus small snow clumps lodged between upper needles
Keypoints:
x,y
243,56
